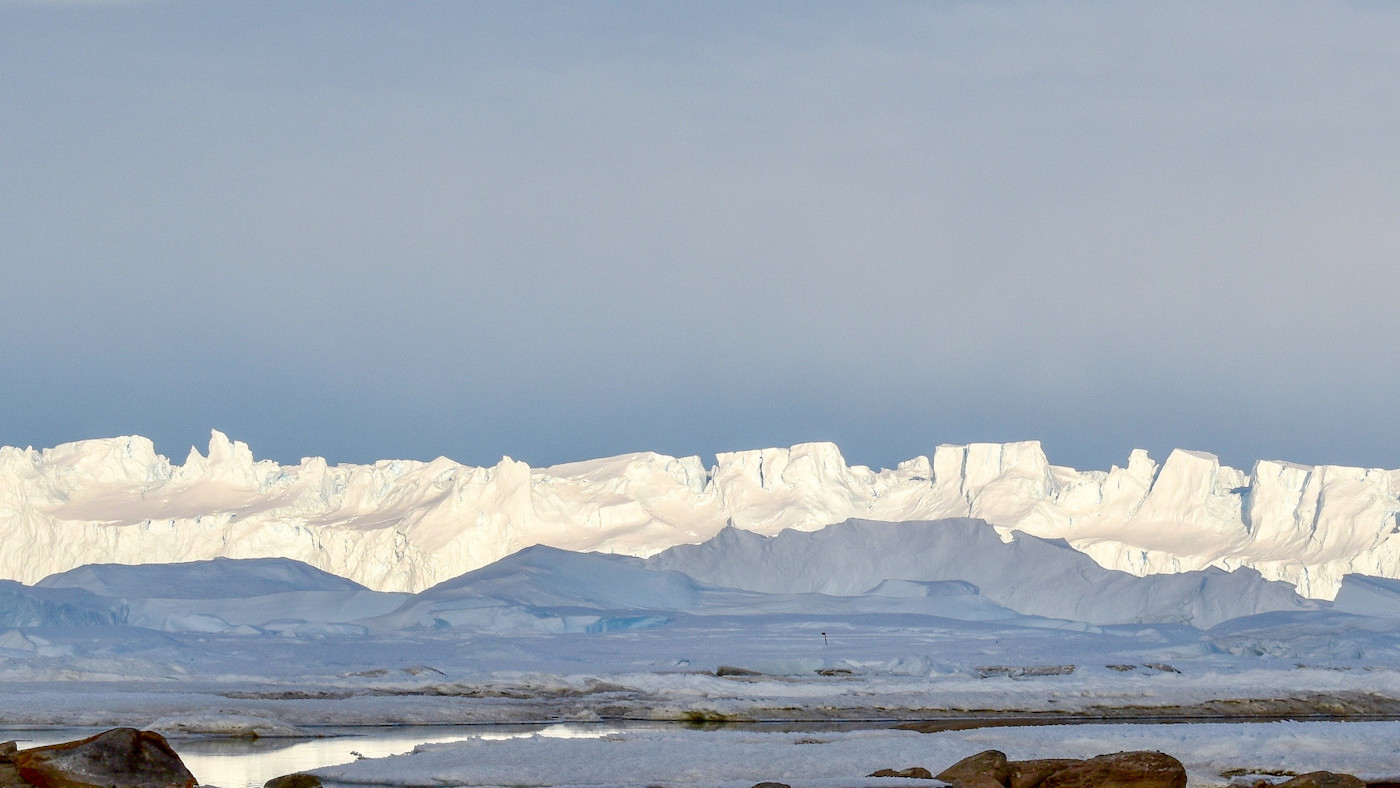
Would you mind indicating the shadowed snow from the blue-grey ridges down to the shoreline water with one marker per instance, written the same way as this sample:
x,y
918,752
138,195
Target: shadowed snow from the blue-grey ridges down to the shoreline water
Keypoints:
x,y
821,633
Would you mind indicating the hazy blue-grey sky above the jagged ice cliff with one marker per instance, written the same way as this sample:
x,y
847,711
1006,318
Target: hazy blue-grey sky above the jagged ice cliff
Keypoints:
x,y
559,232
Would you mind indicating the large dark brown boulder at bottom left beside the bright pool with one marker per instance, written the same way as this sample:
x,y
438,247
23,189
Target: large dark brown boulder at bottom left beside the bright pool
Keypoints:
x,y
122,758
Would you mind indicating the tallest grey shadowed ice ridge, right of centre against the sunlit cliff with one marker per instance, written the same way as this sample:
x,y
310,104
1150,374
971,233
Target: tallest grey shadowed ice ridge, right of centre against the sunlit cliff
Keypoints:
x,y
1027,575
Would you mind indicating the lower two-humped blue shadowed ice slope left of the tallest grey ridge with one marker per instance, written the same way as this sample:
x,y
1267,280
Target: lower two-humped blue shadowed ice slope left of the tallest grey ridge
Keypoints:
x,y
535,590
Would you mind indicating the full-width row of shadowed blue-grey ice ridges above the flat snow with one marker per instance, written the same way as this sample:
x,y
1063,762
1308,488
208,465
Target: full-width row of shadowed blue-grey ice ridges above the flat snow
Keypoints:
x,y
958,570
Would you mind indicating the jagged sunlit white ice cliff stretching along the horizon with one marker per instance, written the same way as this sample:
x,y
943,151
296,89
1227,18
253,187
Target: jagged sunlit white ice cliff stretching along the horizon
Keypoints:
x,y
401,526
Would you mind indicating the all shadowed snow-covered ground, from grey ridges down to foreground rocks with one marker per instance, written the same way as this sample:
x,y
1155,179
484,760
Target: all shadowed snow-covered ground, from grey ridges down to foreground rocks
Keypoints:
x,y
862,622
